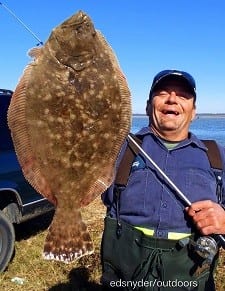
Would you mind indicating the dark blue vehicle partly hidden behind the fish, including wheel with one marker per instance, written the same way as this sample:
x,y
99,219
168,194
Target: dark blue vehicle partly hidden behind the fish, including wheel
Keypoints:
x,y
18,200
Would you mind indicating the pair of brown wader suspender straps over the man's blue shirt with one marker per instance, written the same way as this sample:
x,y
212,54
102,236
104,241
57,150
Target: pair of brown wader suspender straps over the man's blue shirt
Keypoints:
x,y
131,151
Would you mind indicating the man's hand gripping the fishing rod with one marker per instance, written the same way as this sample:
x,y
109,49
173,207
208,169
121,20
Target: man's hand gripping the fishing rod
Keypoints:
x,y
208,216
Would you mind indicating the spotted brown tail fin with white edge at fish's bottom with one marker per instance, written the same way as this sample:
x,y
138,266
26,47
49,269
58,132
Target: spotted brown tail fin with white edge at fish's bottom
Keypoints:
x,y
68,238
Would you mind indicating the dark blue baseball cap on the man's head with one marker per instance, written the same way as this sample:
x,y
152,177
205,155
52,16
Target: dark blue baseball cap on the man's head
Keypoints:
x,y
190,81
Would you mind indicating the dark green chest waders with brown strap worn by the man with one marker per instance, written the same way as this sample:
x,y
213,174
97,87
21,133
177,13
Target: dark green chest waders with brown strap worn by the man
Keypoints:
x,y
133,261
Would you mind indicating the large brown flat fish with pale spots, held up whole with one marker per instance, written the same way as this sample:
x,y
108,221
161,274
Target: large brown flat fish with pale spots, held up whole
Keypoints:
x,y
69,116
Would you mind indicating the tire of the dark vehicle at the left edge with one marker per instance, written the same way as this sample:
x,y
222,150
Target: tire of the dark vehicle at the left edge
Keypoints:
x,y
7,241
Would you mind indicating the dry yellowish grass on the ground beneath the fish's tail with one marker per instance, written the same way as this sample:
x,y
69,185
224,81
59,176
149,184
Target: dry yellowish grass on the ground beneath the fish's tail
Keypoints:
x,y
38,274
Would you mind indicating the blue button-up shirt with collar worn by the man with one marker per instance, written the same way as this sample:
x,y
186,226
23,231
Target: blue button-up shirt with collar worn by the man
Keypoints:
x,y
148,201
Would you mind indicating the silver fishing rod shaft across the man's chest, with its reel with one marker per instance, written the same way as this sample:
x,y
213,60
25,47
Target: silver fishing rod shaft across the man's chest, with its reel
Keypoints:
x,y
206,246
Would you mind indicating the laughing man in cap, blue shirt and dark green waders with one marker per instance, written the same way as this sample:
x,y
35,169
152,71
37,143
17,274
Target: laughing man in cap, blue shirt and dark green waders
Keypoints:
x,y
150,240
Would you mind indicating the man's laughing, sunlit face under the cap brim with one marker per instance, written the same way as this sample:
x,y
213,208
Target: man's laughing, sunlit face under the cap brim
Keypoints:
x,y
171,110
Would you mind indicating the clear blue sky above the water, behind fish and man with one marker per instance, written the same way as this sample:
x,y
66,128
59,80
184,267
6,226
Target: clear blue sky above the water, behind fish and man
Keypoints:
x,y
147,36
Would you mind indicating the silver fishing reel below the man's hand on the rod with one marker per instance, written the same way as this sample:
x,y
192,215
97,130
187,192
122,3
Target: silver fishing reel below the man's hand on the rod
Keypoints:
x,y
205,246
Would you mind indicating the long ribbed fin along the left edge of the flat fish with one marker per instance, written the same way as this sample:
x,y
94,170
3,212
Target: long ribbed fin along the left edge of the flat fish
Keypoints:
x,y
18,125
